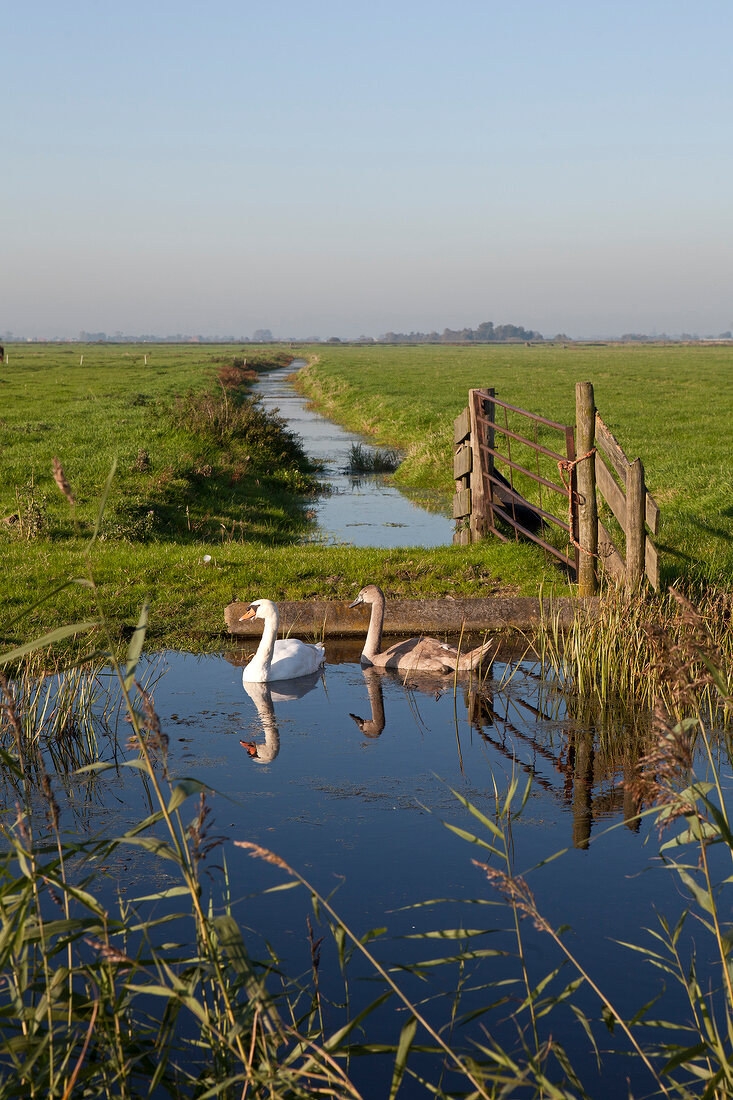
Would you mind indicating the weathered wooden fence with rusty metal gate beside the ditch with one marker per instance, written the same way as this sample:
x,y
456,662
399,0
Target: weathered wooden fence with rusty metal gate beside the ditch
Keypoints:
x,y
593,464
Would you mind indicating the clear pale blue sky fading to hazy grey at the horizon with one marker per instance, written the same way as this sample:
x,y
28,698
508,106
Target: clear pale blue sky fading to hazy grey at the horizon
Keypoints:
x,y
342,168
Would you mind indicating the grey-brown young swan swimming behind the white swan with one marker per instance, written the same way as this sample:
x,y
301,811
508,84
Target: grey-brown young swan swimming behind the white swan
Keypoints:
x,y
422,655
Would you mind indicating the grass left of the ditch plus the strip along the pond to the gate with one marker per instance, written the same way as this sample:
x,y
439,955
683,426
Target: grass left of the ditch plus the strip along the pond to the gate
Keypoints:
x,y
207,503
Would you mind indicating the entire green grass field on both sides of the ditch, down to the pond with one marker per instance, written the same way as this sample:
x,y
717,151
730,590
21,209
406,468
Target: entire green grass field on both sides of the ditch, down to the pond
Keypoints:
x,y
196,477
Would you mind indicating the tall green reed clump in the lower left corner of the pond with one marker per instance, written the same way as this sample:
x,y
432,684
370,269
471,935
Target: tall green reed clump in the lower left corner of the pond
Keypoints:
x,y
82,984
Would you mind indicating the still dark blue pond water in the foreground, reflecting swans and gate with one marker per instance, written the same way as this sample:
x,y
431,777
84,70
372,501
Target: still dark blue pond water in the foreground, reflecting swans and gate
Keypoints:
x,y
352,784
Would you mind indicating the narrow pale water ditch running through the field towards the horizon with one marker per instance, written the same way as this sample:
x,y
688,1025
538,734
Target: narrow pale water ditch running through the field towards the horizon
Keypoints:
x,y
365,510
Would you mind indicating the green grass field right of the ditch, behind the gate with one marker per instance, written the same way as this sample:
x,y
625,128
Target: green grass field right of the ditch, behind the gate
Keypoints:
x,y
670,405
